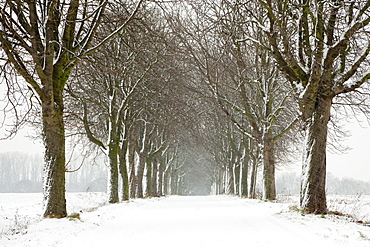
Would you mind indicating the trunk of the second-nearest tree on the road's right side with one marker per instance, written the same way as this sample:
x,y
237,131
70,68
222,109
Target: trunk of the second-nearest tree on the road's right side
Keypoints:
x,y
269,190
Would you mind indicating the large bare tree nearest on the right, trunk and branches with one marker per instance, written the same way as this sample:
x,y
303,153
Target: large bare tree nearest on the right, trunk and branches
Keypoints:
x,y
323,49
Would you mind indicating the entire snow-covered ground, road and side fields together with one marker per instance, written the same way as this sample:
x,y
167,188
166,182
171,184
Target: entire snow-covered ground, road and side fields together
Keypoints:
x,y
182,221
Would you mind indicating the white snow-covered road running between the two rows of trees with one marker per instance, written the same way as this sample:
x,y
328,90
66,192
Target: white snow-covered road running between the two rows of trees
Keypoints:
x,y
192,222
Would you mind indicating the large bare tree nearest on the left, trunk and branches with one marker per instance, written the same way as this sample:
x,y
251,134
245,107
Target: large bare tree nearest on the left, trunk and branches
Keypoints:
x,y
42,42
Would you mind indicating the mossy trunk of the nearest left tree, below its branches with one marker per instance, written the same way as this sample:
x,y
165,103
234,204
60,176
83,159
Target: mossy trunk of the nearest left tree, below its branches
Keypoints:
x,y
54,168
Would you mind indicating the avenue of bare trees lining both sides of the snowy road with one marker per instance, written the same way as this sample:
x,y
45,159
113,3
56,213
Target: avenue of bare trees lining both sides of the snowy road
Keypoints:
x,y
170,91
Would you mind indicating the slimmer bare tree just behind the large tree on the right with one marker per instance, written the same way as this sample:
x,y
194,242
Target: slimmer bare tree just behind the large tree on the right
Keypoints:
x,y
240,75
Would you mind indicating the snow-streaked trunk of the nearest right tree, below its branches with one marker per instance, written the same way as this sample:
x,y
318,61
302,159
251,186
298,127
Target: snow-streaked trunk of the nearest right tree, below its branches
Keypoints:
x,y
313,197
